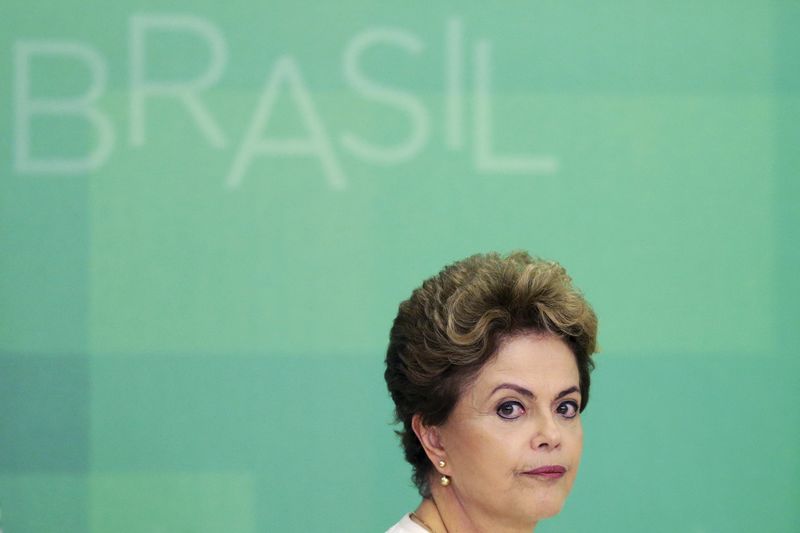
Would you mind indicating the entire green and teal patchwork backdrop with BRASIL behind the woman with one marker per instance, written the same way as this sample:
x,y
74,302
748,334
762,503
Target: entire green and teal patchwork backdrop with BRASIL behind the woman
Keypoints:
x,y
209,214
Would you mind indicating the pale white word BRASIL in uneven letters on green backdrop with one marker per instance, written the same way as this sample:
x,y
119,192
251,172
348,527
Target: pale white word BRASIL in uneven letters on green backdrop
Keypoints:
x,y
284,77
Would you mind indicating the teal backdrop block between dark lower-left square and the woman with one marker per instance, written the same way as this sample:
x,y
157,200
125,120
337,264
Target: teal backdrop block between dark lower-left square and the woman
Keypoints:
x,y
287,431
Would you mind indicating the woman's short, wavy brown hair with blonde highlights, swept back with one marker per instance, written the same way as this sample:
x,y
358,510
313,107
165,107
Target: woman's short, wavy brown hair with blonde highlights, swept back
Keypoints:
x,y
453,324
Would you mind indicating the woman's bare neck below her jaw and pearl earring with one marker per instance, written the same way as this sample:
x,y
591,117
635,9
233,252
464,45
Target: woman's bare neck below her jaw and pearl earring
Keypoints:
x,y
444,512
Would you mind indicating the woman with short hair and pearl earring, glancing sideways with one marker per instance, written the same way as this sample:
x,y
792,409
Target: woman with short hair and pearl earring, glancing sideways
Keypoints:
x,y
488,366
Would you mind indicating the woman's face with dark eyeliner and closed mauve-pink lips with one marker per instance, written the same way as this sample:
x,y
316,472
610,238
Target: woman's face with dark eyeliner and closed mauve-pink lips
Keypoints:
x,y
520,414
